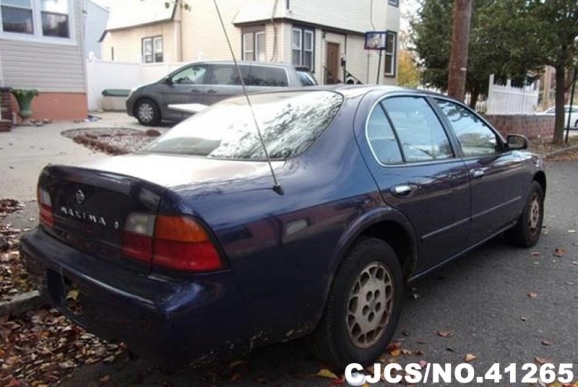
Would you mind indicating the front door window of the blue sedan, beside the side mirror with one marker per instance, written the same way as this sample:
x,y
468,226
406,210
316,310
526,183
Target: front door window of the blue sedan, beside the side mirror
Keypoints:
x,y
475,137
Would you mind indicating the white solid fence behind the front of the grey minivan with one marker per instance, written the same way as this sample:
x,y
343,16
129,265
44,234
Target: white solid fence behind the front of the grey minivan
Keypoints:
x,y
102,75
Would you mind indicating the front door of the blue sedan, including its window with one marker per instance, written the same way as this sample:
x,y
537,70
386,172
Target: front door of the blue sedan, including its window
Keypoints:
x,y
498,182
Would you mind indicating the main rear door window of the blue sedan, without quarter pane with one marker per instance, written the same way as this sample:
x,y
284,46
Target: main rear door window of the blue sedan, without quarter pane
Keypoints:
x,y
420,132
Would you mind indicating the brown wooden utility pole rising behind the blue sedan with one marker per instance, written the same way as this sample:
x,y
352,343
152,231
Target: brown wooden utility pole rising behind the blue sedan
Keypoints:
x,y
459,57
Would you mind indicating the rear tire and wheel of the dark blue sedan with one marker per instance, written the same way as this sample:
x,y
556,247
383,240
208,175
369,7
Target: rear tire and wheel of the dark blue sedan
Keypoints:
x,y
363,307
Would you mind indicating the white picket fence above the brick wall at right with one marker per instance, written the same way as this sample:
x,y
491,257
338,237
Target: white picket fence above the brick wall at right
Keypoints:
x,y
506,99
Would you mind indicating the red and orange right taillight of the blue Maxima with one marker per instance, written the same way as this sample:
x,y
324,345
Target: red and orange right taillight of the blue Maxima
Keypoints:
x,y
172,242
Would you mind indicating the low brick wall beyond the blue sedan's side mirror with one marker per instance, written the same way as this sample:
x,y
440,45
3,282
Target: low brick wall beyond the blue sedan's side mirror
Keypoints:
x,y
531,126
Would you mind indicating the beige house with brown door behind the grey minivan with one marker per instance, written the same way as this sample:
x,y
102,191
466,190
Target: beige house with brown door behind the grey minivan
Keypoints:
x,y
327,36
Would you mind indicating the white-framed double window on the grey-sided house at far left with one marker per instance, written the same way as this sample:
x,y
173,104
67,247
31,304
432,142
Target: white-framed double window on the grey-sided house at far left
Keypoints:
x,y
40,18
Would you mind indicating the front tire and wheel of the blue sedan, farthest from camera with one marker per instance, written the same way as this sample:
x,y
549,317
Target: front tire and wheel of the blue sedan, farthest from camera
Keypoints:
x,y
527,231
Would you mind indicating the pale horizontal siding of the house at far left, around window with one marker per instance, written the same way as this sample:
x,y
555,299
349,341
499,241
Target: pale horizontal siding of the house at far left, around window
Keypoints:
x,y
48,67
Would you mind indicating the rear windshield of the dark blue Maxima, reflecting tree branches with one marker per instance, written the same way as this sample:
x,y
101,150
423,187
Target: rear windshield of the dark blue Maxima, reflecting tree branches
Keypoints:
x,y
290,122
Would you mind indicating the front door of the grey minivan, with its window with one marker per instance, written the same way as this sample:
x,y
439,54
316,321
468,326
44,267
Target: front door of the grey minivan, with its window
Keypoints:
x,y
183,87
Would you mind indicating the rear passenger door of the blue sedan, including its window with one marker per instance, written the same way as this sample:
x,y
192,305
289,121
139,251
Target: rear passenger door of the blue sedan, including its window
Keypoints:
x,y
419,174
